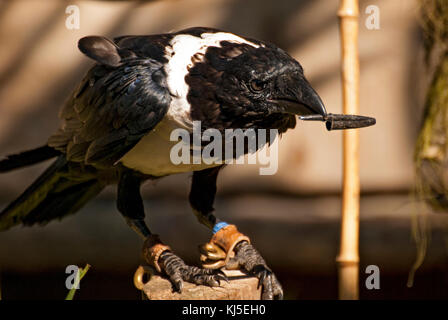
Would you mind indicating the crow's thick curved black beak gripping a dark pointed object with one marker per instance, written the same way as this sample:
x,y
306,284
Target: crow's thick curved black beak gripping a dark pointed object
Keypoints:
x,y
301,100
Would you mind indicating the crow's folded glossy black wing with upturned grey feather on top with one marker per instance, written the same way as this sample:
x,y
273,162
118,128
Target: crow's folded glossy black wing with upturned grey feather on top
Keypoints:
x,y
120,100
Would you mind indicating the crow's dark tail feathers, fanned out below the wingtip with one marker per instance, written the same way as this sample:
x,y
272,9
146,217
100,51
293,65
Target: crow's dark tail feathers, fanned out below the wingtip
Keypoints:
x,y
55,194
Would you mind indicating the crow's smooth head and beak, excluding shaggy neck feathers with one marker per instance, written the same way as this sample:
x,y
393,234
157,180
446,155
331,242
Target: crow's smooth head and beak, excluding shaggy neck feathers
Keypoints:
x,y
270,81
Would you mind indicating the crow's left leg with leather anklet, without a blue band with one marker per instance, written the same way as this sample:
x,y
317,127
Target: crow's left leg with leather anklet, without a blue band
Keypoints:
x,y
157,254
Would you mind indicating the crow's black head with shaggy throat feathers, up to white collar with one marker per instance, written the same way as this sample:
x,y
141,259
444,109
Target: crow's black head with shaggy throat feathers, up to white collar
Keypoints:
x,y
249,82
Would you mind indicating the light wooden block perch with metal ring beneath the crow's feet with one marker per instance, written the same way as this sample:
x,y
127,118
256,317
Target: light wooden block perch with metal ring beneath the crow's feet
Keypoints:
x,y
240,287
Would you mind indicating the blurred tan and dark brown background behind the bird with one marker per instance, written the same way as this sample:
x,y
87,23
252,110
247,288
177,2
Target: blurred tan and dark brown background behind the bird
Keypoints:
x,y
293,216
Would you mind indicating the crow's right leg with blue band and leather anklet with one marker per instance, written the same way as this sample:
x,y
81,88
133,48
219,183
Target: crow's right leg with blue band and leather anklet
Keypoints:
x,y
228,247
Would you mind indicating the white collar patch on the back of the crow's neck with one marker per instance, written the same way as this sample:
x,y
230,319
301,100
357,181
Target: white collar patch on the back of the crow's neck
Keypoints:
x,y
183,48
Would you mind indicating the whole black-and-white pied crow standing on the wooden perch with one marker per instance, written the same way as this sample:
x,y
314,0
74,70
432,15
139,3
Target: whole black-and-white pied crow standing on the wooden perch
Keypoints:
x,y
116,130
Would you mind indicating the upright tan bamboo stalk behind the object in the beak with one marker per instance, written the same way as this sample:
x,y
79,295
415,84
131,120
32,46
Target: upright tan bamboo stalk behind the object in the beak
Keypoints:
x,y
348,258
